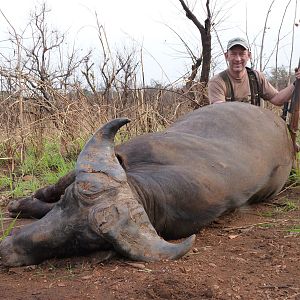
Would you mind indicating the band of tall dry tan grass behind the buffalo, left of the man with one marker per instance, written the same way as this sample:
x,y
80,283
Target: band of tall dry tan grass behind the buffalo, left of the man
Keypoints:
x,y
73,116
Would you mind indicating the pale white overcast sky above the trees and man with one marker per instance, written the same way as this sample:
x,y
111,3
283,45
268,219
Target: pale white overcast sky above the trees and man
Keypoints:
x,y
146,24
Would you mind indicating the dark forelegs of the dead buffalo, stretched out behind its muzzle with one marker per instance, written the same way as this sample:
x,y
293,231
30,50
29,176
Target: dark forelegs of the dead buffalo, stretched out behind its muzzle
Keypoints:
x,y
42,201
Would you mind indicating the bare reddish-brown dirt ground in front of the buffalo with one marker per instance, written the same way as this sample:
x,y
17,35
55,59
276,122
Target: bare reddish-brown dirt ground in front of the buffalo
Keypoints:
x,y
252,253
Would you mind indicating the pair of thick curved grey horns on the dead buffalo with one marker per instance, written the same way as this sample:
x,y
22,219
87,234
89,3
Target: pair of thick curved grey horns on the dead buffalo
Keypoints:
x,y
116,214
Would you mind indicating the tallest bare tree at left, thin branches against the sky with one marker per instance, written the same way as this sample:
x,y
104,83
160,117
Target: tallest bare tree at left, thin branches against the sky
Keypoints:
x,y
46,62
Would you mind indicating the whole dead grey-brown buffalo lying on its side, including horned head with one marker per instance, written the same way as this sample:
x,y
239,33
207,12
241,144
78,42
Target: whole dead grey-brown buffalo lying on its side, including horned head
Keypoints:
x,y
166,184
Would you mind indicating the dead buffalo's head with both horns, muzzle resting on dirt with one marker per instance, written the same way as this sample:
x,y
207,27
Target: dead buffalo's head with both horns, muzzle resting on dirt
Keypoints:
x,y
98,211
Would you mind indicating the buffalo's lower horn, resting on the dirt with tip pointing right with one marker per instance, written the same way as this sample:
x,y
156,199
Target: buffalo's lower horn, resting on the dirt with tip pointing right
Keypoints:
x,y
124,223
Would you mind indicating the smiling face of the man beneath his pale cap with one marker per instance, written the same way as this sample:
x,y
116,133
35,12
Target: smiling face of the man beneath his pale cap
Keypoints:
x,y
237,58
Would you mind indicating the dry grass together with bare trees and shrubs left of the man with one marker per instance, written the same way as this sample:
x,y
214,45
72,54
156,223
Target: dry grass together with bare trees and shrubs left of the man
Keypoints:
x,y
48,91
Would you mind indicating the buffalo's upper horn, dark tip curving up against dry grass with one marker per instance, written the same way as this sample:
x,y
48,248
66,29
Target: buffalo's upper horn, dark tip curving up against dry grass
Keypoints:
x,y
97,167
